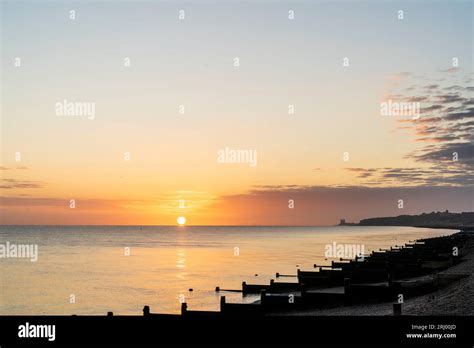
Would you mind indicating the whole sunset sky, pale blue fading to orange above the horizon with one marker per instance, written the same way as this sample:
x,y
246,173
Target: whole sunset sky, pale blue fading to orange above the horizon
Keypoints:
x,y
150,152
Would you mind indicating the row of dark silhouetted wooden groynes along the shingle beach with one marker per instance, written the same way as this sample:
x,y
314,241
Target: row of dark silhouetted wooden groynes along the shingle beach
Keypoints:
x,y
382,276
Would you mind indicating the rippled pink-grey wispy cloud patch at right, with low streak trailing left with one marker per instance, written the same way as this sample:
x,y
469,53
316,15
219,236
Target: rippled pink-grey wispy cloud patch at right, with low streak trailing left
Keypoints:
x,y
444,131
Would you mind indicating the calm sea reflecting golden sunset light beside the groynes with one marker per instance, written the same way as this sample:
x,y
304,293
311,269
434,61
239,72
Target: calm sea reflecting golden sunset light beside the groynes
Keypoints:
x,y
164,263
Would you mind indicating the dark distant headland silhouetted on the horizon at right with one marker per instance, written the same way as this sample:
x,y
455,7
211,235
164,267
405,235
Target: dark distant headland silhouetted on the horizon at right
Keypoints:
x,y
432,220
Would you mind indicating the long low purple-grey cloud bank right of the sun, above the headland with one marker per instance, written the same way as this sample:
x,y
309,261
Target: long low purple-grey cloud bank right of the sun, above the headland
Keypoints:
x,y
326,205
